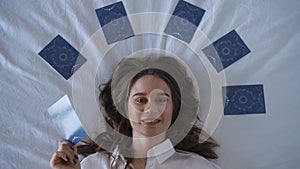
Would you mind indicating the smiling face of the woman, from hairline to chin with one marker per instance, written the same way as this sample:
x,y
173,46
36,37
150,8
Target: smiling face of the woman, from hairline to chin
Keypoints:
x,y
150,106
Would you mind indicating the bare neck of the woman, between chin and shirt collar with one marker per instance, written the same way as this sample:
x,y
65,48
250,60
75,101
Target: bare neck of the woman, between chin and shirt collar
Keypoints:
x,y
141,144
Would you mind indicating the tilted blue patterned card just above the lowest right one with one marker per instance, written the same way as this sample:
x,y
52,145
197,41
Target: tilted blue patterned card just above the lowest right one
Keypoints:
x,y
226,50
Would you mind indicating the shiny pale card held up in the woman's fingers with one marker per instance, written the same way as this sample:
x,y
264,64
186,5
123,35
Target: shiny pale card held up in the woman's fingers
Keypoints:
x,y
66,121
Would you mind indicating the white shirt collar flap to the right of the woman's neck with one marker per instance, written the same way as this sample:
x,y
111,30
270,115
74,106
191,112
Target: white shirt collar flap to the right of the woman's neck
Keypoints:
x,y
162,151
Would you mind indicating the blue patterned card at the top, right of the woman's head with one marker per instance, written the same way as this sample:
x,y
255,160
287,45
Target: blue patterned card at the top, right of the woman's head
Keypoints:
x,y
184,21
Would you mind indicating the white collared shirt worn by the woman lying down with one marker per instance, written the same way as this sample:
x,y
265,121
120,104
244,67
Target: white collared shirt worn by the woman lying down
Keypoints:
x,y
161,156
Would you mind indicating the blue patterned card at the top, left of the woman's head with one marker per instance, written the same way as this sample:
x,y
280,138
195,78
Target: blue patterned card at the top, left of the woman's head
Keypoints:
x,y
114,22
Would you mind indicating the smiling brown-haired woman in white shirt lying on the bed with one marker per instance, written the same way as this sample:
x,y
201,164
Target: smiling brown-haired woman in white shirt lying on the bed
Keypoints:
x,y
152,101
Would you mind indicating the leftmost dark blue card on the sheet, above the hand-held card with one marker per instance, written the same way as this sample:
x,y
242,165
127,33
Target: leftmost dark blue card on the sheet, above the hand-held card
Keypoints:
x,y
64,58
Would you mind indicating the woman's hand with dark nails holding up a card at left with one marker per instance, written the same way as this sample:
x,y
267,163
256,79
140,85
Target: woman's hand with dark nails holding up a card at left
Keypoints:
x,y
65,157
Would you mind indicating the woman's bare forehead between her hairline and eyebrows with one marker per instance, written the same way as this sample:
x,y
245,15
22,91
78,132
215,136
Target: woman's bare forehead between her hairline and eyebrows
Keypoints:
x,y
147,83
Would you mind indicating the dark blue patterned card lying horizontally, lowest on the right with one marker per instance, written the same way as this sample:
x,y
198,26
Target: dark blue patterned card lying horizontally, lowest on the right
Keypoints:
x,y
245,99
